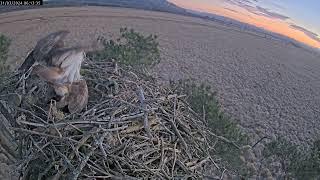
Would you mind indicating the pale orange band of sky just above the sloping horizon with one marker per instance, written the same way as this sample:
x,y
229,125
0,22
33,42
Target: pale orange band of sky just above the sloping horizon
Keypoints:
x,y
241,14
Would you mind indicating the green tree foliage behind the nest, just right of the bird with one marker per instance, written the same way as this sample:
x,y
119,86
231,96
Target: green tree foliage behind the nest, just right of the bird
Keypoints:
x,y
131,48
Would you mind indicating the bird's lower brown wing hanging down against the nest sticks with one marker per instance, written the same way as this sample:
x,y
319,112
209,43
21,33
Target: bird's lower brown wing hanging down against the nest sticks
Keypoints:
x,y
78,97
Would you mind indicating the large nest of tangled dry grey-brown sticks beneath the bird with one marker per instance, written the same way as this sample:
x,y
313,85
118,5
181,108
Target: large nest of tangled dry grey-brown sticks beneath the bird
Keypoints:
x,y
132,128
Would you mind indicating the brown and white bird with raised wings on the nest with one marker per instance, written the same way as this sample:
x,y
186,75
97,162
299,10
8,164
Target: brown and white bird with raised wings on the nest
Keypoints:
x,y
60,67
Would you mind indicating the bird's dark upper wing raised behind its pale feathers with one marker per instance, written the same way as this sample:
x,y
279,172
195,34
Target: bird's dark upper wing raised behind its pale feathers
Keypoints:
x,y
47,44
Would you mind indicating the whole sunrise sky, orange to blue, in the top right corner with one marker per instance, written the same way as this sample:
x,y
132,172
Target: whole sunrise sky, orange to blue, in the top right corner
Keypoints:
x,y
298,19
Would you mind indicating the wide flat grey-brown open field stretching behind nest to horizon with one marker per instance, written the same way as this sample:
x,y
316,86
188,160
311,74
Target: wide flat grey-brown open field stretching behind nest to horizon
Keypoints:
x,y
269,87
